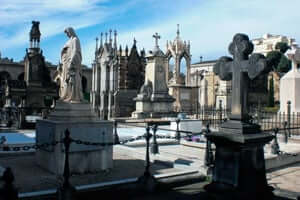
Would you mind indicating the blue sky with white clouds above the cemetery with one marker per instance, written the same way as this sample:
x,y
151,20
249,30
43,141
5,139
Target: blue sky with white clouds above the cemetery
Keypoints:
x,y
209,24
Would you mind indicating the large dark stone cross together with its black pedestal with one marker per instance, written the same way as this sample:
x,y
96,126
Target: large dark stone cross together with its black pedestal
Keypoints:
x,y
239,171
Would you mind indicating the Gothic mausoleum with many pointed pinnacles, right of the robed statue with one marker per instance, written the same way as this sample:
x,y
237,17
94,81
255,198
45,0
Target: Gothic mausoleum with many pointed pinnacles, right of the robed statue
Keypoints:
x,y
118,74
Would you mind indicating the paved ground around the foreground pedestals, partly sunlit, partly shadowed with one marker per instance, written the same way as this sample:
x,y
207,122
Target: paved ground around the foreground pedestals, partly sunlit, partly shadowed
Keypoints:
x,y
184,160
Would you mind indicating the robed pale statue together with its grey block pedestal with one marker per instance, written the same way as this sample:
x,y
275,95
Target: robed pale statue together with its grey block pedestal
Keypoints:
x,y
72,113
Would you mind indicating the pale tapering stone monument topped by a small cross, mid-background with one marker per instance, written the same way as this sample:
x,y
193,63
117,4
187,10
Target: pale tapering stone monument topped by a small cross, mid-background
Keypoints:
x,y
153,100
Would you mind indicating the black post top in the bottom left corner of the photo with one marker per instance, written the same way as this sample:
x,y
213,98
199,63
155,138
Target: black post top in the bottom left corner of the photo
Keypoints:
x,y
8,191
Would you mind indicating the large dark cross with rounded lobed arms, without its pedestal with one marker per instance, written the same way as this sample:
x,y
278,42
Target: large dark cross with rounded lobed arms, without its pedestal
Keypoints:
x,y
239,70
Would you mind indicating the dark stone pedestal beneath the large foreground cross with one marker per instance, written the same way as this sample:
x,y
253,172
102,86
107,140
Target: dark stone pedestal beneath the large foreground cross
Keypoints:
x,y
239,171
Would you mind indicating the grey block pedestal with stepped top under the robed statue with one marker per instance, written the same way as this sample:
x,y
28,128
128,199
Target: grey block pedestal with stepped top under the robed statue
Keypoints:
x,y
83,126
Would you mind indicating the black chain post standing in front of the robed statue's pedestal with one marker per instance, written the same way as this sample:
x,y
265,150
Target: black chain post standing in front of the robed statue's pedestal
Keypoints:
x,y
67,191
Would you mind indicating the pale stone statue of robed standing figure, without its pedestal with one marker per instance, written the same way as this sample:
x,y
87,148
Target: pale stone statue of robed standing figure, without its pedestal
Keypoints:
x,y
70,87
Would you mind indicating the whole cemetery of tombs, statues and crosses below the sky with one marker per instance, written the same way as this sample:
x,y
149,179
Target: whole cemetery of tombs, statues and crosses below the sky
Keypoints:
x,y
143,134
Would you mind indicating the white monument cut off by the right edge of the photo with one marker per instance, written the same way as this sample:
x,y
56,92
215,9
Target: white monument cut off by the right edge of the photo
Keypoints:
x,y
290,84
